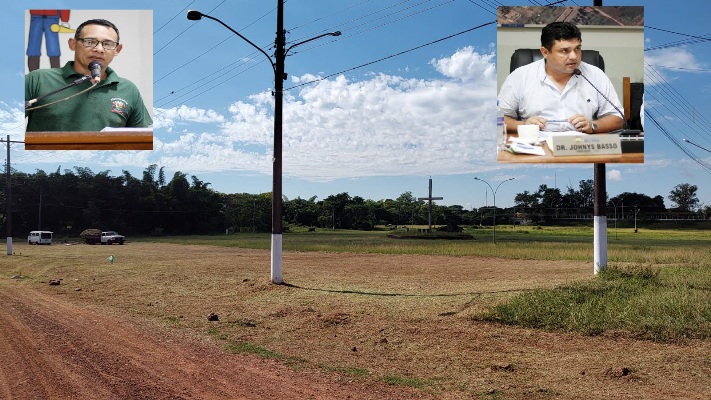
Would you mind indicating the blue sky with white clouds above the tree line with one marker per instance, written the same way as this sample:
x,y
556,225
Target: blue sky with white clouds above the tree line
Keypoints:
x,y
376,131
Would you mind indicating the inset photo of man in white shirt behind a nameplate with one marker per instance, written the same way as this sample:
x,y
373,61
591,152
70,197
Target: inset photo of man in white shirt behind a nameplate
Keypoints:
x,y
570,84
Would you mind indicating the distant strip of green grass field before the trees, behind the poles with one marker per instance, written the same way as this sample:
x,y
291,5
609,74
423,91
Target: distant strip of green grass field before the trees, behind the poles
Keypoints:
x,y
547,243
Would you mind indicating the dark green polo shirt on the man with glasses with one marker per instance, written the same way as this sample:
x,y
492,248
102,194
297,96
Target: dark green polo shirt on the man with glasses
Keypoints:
x,y
114,102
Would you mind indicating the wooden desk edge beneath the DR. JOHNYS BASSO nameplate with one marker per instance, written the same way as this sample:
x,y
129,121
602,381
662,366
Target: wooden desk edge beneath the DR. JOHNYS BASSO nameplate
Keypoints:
x,y
548,158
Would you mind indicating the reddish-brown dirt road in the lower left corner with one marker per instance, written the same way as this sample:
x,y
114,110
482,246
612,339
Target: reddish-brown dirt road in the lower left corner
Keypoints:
x,y
52,349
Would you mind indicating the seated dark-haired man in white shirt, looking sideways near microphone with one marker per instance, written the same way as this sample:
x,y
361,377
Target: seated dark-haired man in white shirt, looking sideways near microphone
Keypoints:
x,y
550,94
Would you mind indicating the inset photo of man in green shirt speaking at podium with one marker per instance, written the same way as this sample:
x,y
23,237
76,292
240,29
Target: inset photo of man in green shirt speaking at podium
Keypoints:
x,y
89,79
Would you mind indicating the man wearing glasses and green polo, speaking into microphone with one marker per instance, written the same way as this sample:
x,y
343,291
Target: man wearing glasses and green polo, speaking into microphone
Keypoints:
x,y
110,101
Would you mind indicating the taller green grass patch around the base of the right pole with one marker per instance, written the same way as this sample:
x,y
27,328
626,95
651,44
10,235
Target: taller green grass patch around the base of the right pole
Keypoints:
x,y
639,301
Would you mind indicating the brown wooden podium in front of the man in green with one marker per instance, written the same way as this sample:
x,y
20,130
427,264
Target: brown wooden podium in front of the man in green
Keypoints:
x,y
111,139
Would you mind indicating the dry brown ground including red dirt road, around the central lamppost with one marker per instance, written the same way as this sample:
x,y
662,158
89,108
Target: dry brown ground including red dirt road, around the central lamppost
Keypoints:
x,y
344,326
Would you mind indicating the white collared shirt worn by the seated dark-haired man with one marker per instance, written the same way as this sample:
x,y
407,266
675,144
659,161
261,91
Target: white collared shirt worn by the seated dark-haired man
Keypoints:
x,y
528,91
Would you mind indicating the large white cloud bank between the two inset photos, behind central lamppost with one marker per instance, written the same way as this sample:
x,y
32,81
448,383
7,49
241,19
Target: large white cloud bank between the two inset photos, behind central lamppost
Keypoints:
x,y
338,128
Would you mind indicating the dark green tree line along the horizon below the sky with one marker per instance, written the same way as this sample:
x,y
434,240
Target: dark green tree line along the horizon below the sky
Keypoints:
x,y
69,201
